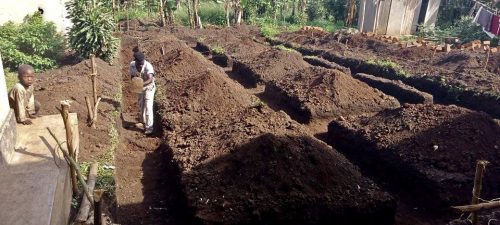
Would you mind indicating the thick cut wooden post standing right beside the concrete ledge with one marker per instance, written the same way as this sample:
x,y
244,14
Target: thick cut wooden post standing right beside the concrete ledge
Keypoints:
x,y
69,142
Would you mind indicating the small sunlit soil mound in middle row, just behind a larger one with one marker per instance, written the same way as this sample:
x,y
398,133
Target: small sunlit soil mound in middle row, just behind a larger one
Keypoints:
x,y
267,66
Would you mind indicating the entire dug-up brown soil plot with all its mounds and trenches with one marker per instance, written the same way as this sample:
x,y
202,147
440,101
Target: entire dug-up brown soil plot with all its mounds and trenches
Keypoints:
x,y
253,142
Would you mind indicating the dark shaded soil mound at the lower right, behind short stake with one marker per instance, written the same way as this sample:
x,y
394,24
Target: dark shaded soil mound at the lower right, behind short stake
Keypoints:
x,y
434,147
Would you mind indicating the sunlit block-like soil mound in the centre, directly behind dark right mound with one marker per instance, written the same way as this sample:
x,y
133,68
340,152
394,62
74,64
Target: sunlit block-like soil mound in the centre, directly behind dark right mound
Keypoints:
x,y
316,92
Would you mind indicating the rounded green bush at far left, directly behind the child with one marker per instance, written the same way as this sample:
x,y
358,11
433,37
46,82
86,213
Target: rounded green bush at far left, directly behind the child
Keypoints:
x,y
35,42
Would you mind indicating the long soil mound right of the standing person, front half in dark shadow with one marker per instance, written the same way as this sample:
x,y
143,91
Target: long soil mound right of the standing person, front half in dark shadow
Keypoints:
x,y
208,118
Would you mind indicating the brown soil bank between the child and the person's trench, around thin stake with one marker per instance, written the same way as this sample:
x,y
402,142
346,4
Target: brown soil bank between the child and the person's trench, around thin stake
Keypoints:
x,y
74,83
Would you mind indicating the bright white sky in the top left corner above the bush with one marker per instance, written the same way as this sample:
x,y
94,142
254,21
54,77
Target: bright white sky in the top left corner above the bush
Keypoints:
x,y
54,11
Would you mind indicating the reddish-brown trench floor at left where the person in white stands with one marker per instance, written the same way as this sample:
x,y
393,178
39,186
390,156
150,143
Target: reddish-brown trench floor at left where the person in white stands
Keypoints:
x,y
148,189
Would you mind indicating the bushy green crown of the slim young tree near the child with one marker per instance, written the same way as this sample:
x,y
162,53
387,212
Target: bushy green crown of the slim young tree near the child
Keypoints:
x,y
92,30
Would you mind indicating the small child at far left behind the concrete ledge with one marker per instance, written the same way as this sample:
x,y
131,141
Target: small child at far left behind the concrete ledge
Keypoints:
x,y
22,98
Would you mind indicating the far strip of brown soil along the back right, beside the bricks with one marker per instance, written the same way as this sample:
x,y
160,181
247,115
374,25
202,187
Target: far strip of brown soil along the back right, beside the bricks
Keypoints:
x,y
465,69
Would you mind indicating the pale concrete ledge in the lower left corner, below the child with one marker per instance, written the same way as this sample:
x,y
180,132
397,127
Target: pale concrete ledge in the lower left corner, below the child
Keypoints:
x,y
35,186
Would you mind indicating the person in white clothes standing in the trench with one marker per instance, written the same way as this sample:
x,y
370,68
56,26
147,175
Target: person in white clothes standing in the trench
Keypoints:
x,y
141,68
